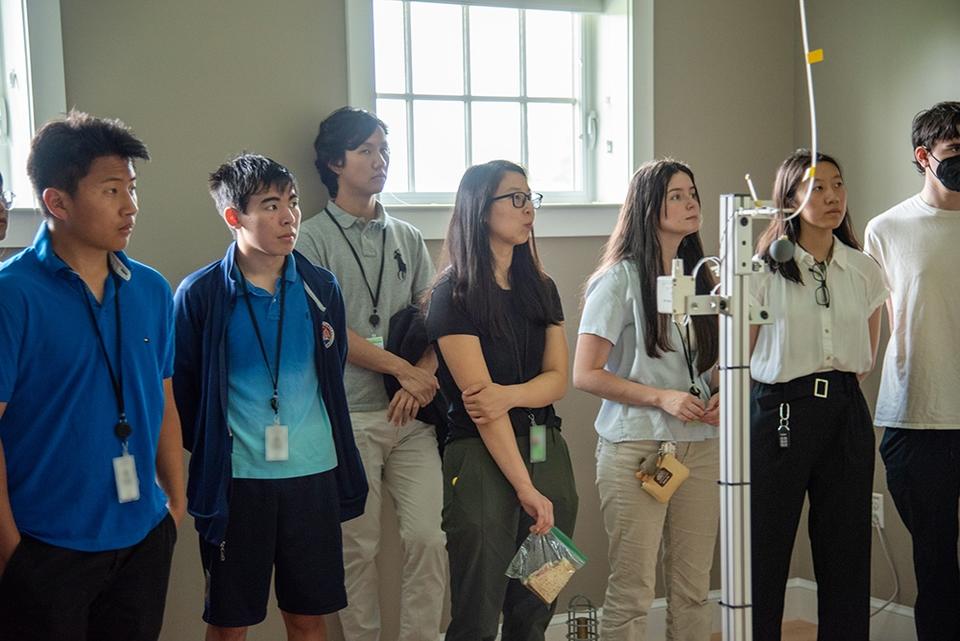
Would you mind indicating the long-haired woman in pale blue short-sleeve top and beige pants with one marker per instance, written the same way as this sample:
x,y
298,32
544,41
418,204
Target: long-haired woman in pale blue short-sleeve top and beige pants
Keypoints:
x,y
655,379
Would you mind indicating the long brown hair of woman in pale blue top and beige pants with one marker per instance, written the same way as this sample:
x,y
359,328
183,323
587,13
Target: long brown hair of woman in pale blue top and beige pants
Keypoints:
x,y
635,238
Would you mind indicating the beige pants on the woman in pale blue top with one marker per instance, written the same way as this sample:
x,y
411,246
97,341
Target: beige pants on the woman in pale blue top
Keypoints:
x,y
637,524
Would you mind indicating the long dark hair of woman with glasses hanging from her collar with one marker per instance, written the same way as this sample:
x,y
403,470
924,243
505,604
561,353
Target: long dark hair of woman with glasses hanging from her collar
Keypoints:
x,y
786,186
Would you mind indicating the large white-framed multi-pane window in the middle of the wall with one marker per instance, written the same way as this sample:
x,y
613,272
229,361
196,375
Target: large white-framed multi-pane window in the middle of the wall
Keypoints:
x,y
461,82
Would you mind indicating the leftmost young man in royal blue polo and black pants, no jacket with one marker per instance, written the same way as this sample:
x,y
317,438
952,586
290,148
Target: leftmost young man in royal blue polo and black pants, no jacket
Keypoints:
x,y
91,467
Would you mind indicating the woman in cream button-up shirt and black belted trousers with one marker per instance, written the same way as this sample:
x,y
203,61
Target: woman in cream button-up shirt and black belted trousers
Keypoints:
x,y
811,430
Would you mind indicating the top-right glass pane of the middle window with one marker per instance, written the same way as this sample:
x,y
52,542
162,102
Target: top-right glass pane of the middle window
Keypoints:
x,y
550,54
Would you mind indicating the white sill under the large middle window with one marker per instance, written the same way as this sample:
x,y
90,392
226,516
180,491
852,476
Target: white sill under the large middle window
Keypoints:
x,y
552,221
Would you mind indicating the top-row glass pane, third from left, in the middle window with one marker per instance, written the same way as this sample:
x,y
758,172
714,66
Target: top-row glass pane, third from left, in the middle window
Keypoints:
x,y
494,51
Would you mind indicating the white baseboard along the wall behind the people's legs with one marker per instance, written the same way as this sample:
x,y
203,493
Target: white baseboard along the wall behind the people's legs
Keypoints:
x,y
895,623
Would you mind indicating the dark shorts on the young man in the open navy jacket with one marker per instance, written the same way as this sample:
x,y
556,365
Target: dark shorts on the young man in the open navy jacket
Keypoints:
x,y
291,524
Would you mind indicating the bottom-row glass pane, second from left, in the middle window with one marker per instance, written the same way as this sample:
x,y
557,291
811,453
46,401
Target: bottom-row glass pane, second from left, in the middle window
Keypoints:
x,y
438,145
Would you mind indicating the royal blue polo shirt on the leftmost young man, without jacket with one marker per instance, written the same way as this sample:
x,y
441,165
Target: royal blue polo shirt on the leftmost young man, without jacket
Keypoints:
x,y
58,427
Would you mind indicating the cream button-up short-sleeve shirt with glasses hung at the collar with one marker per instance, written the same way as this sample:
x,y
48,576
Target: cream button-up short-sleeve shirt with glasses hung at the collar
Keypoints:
x,y
806,337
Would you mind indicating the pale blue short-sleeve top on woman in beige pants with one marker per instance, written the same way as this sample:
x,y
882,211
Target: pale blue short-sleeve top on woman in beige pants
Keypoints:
x,y
613,310
